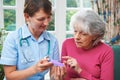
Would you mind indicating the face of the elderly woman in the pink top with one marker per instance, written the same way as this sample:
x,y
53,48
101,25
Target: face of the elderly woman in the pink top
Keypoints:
x,y
83,39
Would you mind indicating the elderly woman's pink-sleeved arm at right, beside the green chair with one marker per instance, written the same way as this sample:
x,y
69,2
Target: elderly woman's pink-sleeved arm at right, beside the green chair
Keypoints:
x,y
107,67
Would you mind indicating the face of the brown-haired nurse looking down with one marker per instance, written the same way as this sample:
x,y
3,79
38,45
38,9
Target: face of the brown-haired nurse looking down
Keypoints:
x,y
38,22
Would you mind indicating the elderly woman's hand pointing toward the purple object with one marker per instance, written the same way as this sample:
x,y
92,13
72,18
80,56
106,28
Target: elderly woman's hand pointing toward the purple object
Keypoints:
x,y
72,62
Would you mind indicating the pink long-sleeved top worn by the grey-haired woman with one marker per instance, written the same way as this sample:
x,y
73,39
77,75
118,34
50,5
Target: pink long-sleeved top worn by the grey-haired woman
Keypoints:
x,y
96,63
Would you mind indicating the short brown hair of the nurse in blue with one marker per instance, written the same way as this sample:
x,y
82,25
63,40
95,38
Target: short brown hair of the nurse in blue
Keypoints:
x,y
32,6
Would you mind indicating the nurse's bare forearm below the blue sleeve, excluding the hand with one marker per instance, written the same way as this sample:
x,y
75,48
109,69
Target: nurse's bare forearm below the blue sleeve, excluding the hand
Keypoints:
x,y
12,74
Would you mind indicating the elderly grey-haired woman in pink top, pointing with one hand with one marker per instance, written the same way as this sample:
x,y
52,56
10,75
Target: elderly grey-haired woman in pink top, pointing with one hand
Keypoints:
x,y
85,56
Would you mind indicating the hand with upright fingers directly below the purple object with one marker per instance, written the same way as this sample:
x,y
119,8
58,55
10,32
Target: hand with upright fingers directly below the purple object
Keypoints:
x,y
58,73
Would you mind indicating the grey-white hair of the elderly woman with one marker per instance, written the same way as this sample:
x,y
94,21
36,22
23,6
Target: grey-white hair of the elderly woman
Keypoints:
x,y
90,23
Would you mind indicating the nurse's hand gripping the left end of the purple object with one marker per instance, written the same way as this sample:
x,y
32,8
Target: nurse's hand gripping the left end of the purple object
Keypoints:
x,y
43,65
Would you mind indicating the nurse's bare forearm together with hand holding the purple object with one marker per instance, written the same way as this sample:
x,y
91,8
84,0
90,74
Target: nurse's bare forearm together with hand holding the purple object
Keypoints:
x,y
12,74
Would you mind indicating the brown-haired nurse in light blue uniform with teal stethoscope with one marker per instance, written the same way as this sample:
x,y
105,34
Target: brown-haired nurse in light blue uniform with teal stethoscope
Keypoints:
x,y
24,50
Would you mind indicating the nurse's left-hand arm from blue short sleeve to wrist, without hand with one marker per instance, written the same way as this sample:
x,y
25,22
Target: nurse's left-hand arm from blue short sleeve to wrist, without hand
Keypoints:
x,y
9,57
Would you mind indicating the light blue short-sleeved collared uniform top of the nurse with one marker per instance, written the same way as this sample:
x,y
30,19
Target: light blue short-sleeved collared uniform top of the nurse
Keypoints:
x,y
28,51
